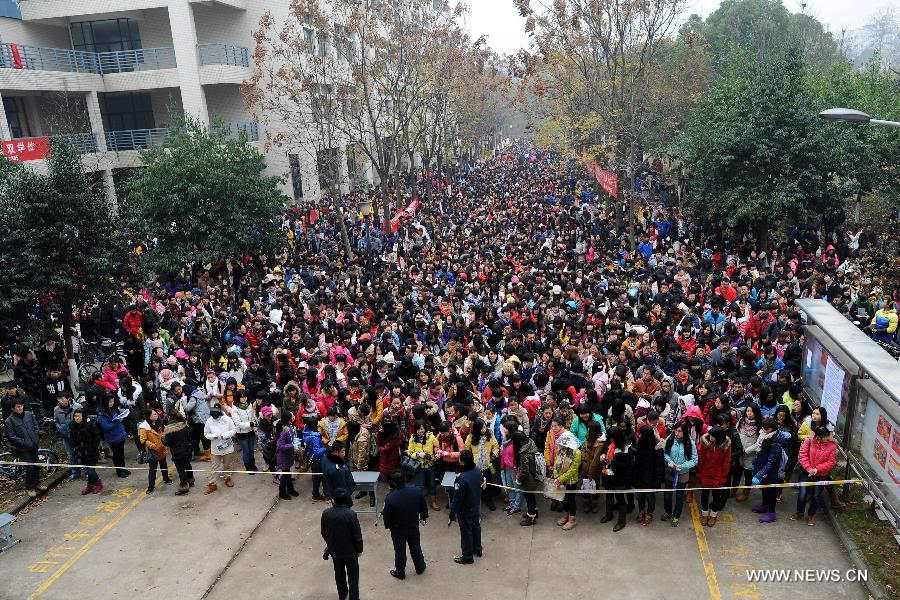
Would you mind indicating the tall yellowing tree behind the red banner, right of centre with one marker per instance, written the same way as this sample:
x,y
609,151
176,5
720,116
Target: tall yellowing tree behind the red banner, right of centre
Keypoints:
x,y
603,73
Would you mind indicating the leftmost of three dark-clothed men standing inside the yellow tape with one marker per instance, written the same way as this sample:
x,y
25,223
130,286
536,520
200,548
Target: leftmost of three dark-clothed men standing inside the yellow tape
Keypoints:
x,y
343,538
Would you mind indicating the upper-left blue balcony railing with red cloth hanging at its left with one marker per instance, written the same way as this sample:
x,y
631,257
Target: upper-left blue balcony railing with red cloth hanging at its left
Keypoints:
x,y
77,61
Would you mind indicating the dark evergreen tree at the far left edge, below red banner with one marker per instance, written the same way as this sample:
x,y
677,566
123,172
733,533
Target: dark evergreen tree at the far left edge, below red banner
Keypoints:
x,y
60,246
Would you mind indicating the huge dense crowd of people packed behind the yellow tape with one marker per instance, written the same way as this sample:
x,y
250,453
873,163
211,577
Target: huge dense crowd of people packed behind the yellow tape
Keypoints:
x,y
505,315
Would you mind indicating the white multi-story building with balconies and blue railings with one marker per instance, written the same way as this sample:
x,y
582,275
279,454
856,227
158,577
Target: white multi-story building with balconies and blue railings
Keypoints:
x,y
107,73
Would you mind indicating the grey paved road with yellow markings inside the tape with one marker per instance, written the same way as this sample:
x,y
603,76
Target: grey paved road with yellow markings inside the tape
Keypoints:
x,y
125,545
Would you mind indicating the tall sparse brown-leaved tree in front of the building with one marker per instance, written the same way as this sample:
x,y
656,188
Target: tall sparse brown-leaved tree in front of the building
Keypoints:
x,y
380,92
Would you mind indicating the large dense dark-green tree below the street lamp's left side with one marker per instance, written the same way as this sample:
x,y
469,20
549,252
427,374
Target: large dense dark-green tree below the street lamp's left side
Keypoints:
x,y
755,150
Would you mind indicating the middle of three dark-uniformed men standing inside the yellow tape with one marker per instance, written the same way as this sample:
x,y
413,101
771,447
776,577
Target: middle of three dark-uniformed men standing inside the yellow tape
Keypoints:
x,y
403,507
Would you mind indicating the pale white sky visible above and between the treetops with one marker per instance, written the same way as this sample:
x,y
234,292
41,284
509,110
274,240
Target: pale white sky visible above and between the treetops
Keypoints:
x,y
500,22
